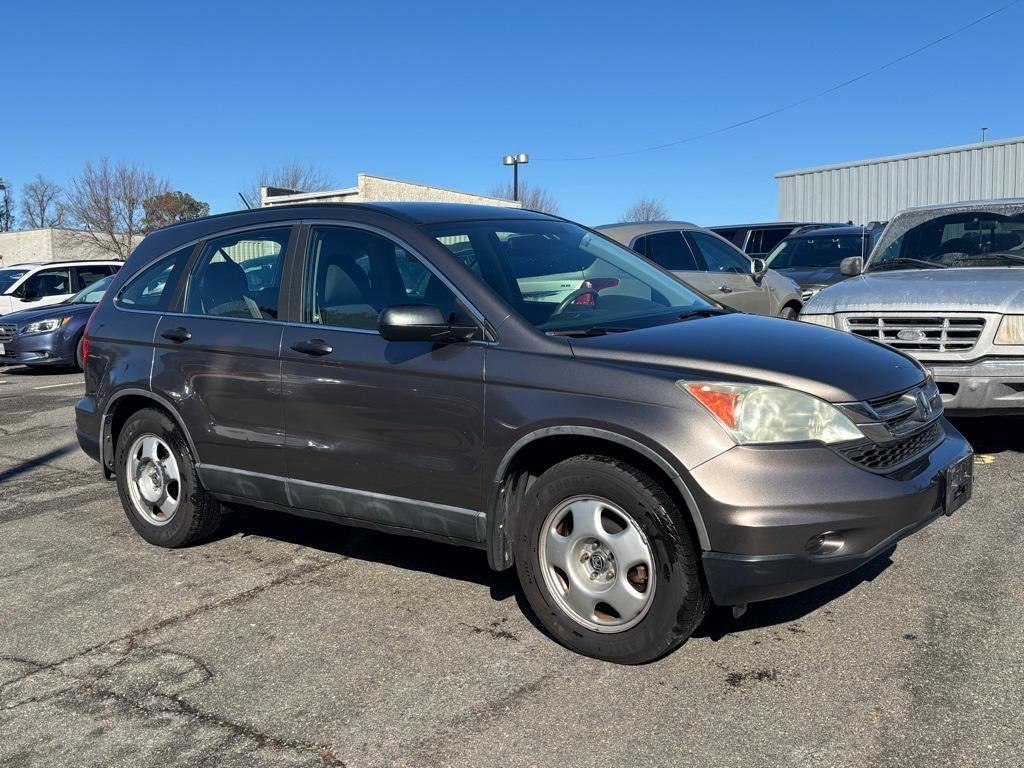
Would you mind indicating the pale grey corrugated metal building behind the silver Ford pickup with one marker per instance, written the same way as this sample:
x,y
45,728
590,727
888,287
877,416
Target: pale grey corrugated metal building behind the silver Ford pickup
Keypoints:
x,y
877,190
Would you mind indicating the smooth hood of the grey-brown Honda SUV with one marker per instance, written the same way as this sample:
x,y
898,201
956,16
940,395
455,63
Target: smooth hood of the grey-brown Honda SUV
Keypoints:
x,y
831,365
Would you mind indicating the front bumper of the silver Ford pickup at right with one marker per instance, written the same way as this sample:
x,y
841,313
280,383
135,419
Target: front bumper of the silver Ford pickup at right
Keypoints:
x,y
982,388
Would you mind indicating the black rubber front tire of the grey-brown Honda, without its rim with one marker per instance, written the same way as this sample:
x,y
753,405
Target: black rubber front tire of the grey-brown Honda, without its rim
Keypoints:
x,y
681,598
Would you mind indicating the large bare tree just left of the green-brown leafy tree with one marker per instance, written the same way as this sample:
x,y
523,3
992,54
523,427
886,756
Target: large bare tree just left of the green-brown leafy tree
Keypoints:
x,y
108,202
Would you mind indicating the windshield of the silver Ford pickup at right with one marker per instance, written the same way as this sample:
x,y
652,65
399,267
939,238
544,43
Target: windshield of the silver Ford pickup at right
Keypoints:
x,y
960,240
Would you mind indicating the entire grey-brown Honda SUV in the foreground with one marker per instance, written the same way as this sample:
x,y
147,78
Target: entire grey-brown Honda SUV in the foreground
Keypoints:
x,y
633,449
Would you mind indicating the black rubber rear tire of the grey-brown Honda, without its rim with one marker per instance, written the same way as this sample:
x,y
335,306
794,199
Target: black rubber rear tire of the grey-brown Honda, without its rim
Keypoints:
x,y
198,516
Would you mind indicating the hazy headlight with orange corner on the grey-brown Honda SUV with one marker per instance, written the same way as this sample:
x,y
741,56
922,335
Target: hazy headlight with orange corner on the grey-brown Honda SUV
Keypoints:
x,y
756,413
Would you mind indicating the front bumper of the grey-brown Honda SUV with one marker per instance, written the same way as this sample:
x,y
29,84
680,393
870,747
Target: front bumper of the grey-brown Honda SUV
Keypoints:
x,y
763,506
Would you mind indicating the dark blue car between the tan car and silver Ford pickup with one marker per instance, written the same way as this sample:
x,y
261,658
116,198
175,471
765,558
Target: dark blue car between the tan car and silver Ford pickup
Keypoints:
x,y
813,259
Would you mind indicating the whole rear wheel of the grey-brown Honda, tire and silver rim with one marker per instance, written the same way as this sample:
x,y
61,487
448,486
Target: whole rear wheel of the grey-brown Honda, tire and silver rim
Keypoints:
x,y
158,484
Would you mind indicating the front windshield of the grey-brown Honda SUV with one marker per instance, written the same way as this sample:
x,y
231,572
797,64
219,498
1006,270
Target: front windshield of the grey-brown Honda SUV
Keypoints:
x,y
563,278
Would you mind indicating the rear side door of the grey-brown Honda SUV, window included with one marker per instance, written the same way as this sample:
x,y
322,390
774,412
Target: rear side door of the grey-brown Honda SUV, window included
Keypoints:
x,y
218,360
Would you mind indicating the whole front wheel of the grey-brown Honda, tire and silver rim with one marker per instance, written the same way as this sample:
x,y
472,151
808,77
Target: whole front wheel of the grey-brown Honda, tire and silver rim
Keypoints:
x,y
608,564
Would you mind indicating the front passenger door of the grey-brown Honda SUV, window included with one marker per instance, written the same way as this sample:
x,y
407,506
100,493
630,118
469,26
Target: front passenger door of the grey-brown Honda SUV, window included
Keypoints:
x,y
385,433
